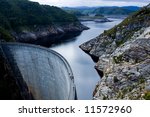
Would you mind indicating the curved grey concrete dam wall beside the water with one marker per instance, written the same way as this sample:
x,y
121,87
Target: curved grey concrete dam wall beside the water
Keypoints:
x,y
39,71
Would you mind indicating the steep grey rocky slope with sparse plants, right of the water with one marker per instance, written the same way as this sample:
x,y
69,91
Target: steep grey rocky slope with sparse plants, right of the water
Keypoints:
x,y
123,58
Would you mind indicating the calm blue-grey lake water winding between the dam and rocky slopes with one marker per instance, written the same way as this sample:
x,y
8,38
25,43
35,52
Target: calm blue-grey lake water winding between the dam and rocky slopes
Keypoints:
x,y
82,65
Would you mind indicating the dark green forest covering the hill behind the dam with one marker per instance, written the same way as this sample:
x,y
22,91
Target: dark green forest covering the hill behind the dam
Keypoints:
x,y
23,13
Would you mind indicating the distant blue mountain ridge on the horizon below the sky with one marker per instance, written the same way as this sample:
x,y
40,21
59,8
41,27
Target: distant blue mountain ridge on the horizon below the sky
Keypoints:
x,y
104,10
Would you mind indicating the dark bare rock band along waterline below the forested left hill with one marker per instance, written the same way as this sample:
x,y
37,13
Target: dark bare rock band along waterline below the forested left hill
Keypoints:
x,y
43,35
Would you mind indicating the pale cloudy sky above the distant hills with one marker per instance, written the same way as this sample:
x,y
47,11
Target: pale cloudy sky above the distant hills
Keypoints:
x,y
74,3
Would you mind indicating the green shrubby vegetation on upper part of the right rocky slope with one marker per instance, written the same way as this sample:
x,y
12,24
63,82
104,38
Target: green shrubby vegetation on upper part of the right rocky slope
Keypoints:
x,y
129,26
